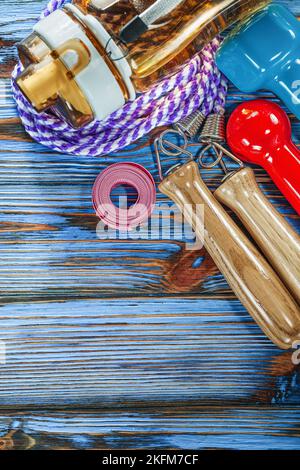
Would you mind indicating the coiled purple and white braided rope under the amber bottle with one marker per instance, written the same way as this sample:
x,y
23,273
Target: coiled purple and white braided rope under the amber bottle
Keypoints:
x,y
199,85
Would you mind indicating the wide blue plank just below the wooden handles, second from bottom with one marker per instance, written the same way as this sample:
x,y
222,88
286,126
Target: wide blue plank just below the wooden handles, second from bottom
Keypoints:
x,y
139,350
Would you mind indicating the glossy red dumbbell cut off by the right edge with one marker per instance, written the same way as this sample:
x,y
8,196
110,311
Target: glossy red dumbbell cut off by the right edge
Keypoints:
x,y
259,132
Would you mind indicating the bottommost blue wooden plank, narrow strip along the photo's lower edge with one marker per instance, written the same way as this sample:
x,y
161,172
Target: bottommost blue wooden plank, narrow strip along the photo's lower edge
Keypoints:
x,y
193,427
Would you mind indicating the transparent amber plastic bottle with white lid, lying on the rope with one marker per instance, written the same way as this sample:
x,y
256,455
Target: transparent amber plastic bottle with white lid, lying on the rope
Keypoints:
x,y
77,61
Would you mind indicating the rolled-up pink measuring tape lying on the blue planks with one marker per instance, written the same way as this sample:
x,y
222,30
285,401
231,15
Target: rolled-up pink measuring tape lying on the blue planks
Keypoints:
x,y
130,174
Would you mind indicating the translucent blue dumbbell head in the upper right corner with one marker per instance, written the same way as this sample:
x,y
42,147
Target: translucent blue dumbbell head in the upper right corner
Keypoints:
x,y
264,53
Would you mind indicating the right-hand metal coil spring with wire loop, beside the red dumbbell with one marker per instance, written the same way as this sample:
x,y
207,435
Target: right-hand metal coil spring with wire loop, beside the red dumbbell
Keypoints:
x,y
214,136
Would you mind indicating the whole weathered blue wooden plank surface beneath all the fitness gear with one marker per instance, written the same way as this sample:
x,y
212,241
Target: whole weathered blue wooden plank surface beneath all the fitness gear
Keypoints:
x,y
117,325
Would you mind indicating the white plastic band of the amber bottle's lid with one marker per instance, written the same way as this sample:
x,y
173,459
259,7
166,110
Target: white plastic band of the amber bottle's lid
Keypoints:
x,y
96,81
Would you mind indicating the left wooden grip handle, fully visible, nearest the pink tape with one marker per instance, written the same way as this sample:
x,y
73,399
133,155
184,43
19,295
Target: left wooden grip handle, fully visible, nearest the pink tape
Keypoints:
x,y
245,269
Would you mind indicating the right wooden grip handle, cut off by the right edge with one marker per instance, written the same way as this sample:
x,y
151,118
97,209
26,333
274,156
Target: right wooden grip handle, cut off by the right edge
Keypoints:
x,y
275,237
